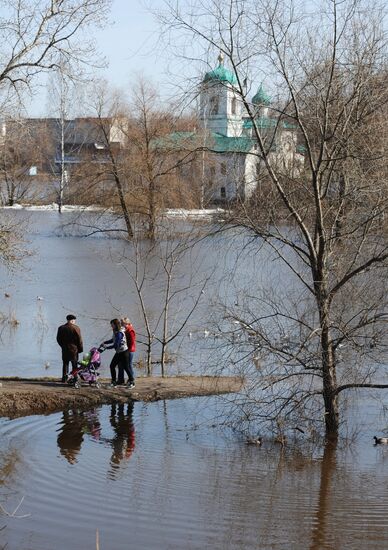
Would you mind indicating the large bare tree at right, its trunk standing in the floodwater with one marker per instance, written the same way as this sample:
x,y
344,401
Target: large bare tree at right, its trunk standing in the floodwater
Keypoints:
x,y
325,223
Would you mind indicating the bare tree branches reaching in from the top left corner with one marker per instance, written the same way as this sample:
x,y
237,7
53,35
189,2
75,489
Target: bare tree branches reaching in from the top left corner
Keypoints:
x,y
34,37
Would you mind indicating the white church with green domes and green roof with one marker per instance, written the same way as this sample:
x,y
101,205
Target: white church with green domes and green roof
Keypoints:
x,y
238,167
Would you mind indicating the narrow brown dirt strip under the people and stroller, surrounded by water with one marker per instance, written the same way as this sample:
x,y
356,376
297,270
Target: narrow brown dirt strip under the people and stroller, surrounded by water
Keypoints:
x,y
19,397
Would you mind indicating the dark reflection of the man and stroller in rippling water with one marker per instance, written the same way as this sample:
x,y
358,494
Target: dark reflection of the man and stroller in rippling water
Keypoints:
x,y
75,424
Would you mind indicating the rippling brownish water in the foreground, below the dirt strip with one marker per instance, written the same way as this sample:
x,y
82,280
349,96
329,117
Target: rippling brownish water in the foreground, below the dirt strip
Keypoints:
x,y
159,476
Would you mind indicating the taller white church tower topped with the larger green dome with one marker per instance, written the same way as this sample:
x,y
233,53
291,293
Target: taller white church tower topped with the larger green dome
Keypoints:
x,y
220,107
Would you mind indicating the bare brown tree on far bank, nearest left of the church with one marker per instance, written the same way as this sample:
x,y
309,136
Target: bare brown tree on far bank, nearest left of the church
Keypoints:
x,y
158,160
